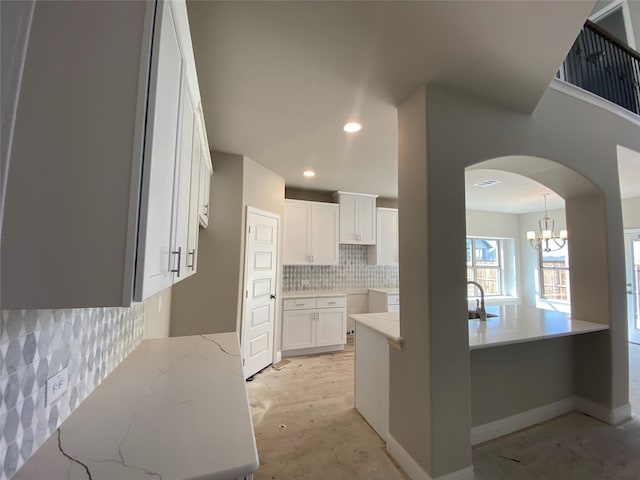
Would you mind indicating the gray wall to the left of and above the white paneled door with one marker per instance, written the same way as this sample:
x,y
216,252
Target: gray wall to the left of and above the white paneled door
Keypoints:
x,y
210,301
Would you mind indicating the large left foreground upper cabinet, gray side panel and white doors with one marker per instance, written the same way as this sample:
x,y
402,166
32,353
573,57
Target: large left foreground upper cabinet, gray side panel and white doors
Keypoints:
x,y
107,219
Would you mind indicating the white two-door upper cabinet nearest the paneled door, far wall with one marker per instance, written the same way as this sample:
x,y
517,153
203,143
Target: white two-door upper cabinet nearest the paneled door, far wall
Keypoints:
x,y
310,233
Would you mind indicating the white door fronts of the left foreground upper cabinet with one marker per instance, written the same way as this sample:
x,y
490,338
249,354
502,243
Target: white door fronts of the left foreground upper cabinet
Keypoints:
x,y
174,140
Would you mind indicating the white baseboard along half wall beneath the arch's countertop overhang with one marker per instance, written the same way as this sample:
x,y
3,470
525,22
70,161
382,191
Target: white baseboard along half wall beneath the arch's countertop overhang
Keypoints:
x,y
504,426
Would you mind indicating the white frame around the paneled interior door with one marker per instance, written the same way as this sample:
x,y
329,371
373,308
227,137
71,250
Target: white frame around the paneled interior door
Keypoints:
x,y
276,353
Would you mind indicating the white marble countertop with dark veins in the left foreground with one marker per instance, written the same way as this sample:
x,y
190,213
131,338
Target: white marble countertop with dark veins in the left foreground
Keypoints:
x,y
176,408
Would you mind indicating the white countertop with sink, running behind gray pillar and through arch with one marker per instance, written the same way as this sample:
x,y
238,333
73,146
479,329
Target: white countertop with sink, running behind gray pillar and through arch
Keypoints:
x,y
514,324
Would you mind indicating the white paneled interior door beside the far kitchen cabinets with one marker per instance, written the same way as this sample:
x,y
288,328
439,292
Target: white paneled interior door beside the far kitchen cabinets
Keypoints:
x,y
261,268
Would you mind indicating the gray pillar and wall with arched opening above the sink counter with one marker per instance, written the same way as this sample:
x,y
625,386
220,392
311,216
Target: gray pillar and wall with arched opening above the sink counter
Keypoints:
x,y
442,132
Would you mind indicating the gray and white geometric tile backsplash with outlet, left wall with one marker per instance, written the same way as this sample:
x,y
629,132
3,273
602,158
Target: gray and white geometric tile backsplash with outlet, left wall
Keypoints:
x,y
36,344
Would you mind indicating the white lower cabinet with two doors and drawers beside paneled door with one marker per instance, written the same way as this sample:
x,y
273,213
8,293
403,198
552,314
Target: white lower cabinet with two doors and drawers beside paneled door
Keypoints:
x,y
313,324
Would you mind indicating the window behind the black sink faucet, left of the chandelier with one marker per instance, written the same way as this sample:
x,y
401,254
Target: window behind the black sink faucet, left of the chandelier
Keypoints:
x,y
484,265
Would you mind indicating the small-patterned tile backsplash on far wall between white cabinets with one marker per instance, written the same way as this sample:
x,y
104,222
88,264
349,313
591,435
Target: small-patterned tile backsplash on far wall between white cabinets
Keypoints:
x,y
352,273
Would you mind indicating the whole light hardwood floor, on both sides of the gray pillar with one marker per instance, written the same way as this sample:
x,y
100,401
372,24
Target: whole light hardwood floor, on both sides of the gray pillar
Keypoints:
x,y
306,428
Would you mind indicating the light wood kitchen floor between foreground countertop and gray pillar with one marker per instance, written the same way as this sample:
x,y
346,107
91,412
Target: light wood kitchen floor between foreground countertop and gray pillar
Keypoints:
x,y
306,426
